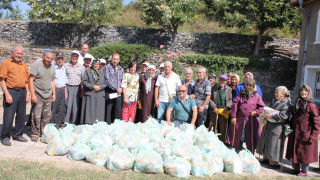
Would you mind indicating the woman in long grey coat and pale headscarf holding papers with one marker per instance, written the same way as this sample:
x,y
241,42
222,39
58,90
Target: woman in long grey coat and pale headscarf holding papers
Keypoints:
x,y
272,138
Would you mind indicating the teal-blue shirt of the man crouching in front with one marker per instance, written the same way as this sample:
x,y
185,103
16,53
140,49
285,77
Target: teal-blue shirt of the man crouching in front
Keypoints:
x,y
180,113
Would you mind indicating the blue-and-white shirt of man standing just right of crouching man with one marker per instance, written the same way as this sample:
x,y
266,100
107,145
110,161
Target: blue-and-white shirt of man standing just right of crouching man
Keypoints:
x,y
201,91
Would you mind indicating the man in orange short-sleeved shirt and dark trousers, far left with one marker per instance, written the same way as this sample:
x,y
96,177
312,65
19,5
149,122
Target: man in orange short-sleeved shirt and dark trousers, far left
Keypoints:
x,y
14,75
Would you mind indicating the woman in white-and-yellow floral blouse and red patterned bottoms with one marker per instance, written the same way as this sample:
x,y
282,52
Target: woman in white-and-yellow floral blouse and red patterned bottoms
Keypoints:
x,y
130,89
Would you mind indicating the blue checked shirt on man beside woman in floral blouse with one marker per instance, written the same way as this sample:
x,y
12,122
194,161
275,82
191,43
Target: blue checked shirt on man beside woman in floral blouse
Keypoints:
x,y
113,77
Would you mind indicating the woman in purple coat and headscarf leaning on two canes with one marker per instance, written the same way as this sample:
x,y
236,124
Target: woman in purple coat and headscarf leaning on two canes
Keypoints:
x,y
245,121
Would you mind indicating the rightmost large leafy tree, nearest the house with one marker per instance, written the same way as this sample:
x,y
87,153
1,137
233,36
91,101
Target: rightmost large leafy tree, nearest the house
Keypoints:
x,y
260,14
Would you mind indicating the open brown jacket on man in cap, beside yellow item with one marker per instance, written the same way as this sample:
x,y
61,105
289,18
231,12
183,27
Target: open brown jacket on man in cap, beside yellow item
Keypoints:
x,y
214,96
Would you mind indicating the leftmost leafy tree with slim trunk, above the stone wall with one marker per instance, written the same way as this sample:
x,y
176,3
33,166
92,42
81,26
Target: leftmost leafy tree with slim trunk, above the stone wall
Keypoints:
x,y
79,12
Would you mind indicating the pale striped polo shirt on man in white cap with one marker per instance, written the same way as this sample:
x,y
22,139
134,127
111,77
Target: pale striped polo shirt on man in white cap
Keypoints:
x,y
74,73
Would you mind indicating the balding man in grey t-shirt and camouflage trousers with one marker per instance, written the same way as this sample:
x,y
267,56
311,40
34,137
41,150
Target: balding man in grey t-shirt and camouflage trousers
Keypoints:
x,y
42,89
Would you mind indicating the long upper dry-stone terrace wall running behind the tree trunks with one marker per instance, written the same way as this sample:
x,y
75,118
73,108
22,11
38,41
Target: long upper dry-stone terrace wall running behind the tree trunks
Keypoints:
x,y
65,35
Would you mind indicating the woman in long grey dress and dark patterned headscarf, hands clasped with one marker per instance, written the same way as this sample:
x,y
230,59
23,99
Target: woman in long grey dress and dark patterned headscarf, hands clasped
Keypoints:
x,y
93,101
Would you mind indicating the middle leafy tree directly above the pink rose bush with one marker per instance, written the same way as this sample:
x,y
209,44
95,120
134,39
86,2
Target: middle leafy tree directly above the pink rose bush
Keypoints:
x,y
170,14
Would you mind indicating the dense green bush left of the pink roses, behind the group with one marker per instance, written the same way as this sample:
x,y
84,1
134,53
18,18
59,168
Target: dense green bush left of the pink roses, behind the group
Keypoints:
x,y
128,52
